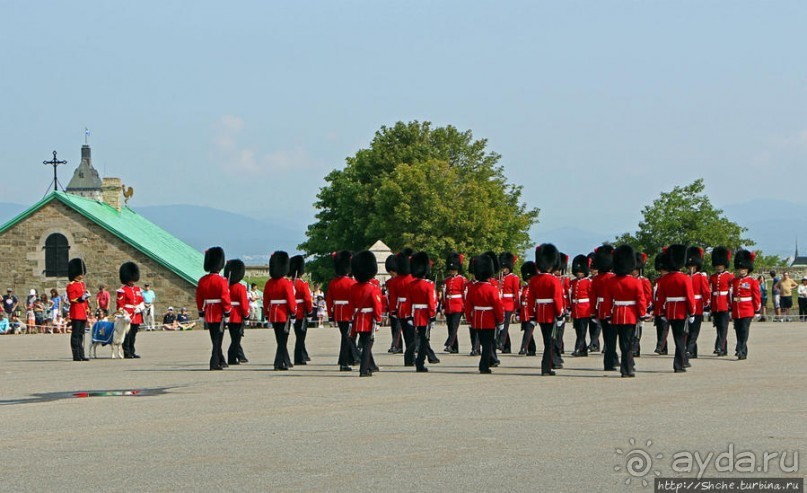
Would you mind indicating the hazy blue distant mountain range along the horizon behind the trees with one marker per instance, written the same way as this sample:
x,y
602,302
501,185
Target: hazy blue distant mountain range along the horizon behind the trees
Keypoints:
x,y
773,224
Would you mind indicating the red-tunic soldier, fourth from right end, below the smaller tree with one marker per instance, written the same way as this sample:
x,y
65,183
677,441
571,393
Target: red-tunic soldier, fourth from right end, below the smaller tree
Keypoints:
x,y
676,302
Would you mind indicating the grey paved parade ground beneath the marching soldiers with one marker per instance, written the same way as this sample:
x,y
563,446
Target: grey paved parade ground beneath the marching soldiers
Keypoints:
x,y
69,426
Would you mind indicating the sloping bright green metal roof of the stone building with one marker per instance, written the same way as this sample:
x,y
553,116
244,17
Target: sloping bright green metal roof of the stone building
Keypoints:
x,y
134,229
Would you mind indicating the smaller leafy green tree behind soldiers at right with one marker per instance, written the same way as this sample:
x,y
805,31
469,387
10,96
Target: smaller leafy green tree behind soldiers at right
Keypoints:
x,y
685,215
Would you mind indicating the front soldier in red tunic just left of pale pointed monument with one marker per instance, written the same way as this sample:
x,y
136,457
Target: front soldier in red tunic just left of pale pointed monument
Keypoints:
x,y
365,303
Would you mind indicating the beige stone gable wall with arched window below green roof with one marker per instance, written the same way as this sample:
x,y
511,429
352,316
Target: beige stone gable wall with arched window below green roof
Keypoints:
x,y
22,261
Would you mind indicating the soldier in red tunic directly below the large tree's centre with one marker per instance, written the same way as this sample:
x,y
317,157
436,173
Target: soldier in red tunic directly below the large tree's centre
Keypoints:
x,y
423,305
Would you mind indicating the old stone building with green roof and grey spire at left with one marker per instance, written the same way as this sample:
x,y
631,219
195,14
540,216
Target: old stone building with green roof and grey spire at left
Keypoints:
x,y
98,228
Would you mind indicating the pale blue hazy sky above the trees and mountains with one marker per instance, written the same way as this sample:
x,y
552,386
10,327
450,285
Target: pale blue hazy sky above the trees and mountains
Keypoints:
x,y
595,106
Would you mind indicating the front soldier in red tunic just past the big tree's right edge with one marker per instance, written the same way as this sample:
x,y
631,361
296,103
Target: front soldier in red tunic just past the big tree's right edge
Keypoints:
x,y
545,302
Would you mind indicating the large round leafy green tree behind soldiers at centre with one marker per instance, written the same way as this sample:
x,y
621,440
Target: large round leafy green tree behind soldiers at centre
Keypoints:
x,y
435,190
